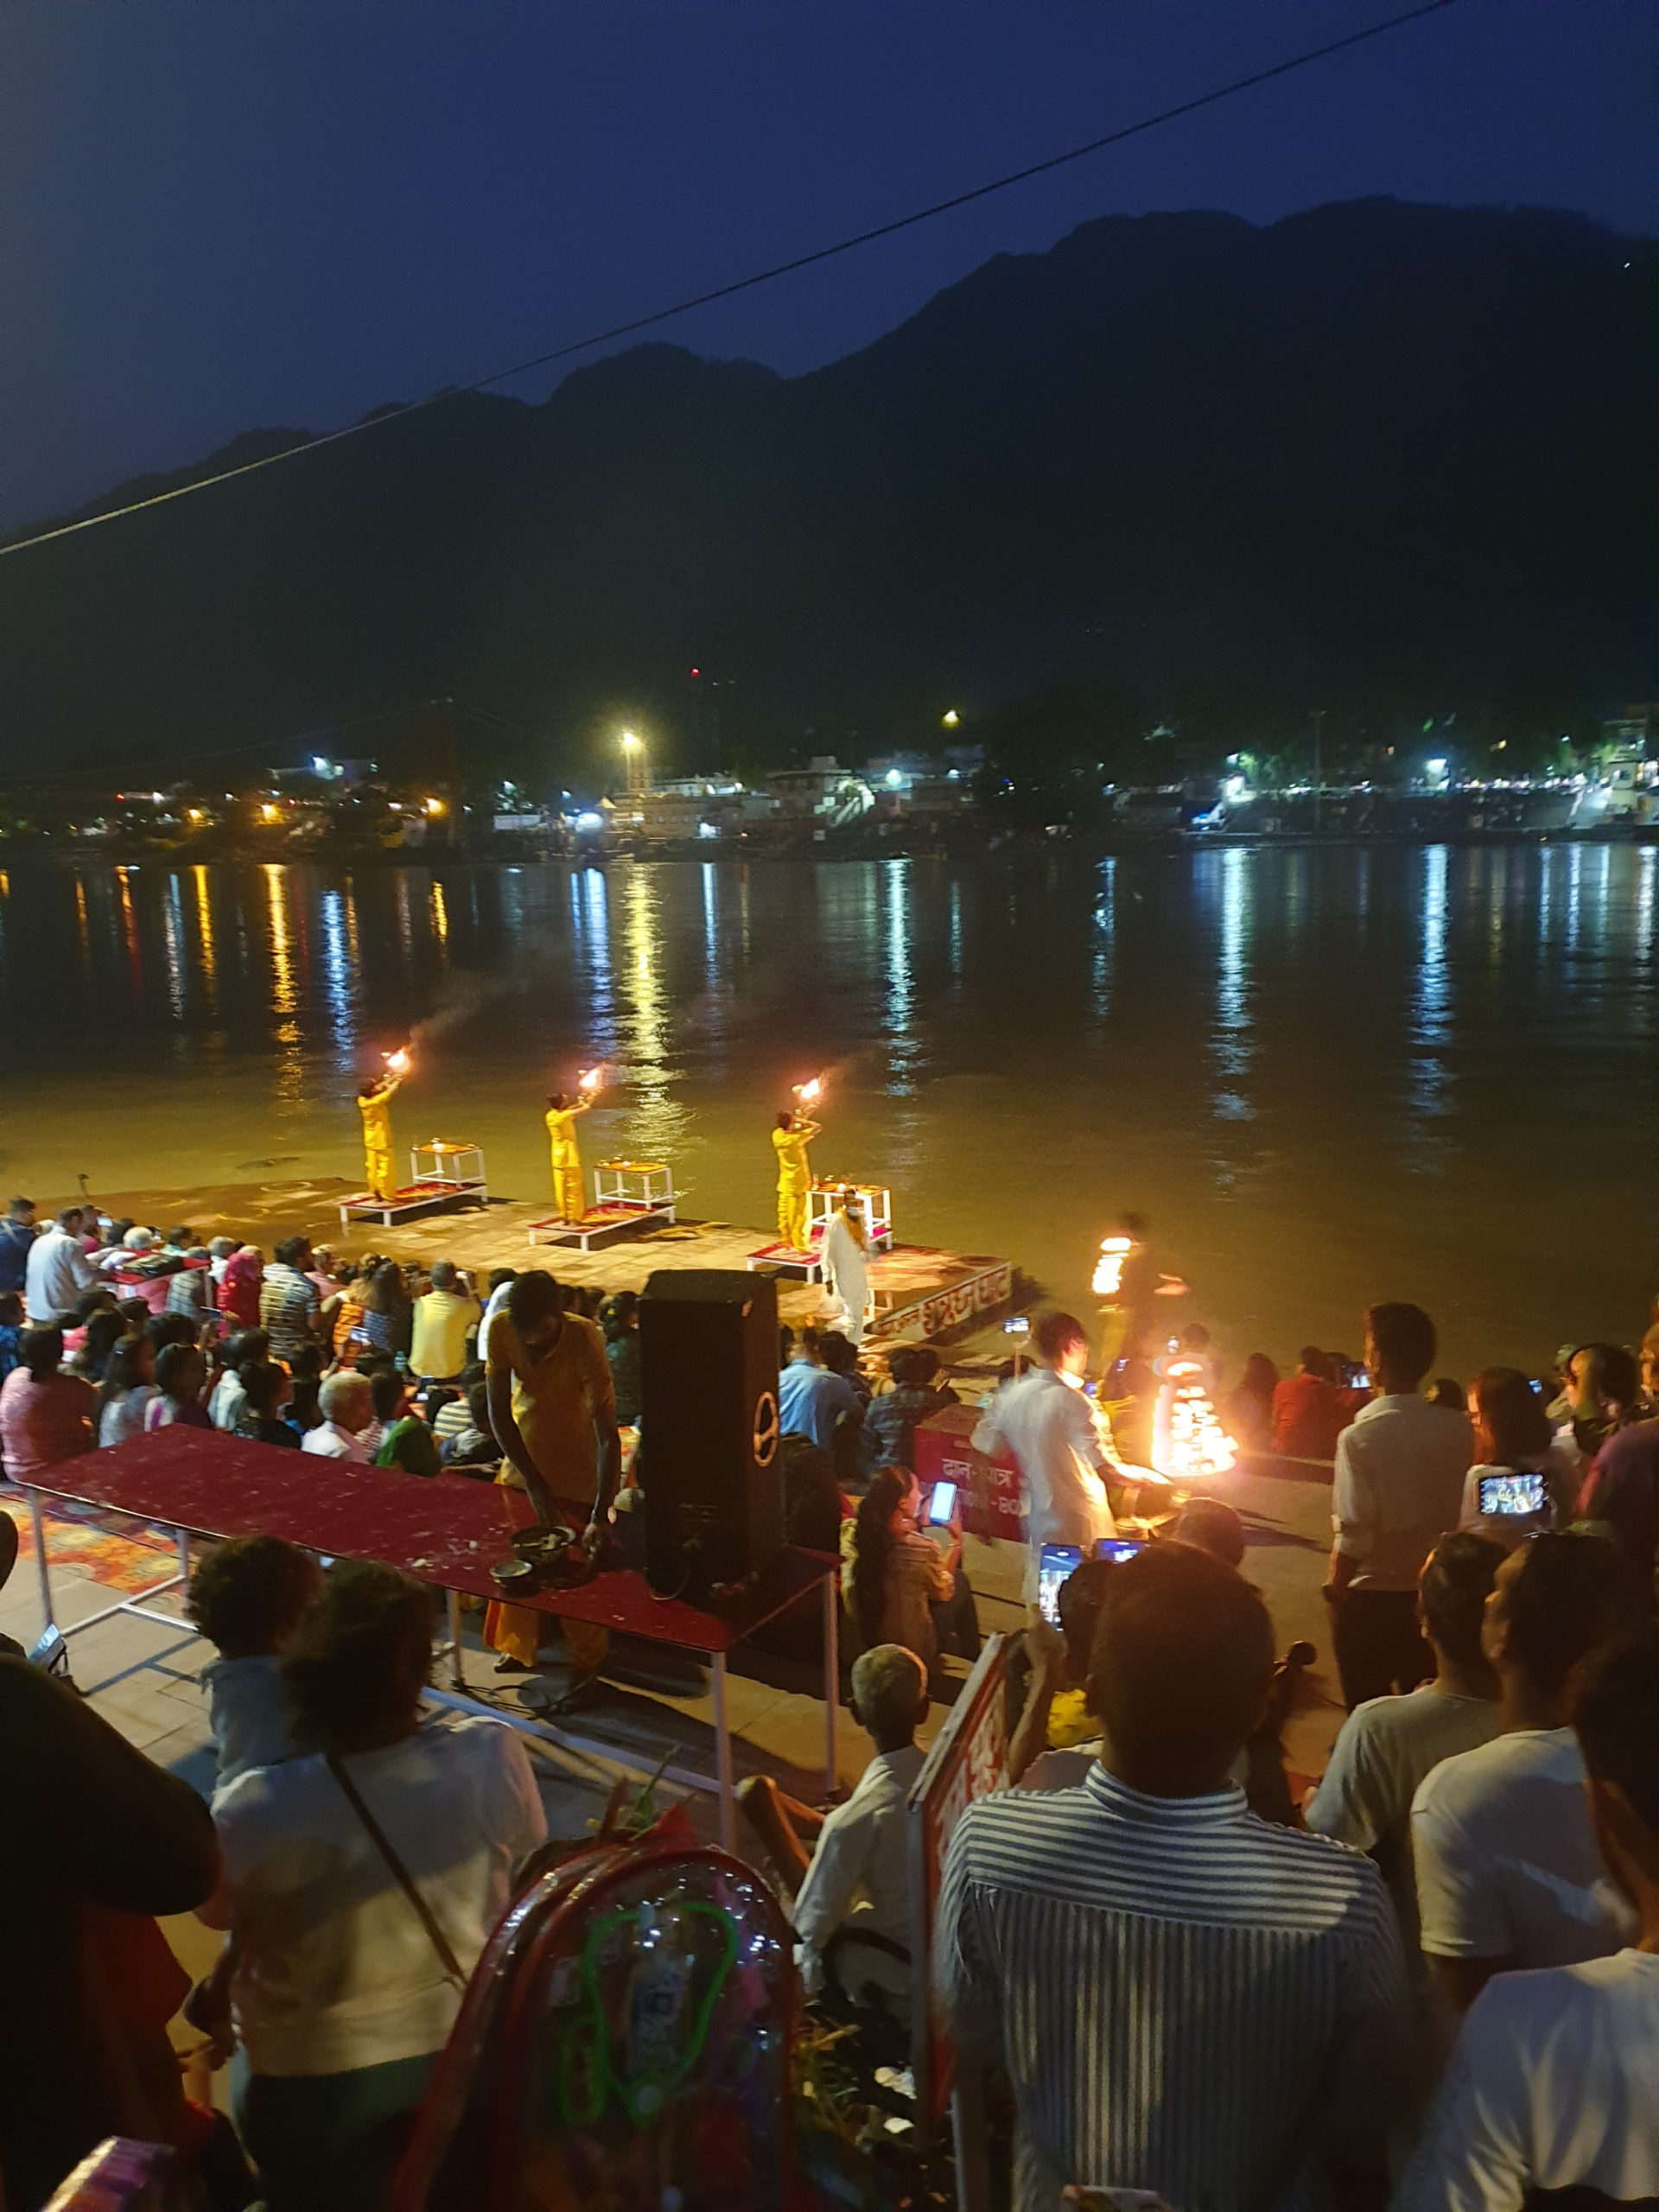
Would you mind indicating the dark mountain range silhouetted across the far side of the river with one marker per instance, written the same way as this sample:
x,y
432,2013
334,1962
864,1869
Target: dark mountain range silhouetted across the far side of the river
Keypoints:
x,y
1377,459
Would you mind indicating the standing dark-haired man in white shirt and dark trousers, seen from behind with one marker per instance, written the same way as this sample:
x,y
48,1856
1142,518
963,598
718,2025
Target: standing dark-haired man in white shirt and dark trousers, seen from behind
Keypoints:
x,y
1397,1492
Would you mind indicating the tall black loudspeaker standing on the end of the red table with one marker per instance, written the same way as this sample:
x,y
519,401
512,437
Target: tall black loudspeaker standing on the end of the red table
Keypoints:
x,y
709,1430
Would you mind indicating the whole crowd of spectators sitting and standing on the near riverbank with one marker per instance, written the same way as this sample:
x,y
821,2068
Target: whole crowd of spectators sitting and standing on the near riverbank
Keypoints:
x,y
1432,1983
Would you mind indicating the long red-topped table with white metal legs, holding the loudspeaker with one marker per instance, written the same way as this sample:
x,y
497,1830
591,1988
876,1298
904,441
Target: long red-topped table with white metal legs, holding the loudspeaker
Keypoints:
x,y
446,1530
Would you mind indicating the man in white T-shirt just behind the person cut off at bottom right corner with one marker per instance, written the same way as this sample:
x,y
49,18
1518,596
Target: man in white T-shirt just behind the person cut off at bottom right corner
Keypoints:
x,y
1510,1872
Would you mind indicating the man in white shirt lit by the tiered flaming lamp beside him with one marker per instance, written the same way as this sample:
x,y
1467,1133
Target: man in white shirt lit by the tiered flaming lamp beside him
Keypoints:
x,y
1047,1426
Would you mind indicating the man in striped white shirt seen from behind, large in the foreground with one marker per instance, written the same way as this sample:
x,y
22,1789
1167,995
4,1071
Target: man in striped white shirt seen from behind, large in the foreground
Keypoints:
x,y
1185,1999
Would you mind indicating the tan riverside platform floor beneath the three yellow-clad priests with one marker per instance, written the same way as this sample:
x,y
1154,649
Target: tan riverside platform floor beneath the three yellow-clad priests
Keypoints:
x,y
921,1291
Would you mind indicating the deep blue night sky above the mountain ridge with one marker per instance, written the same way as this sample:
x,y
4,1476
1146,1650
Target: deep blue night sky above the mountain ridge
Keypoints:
x,y
233,213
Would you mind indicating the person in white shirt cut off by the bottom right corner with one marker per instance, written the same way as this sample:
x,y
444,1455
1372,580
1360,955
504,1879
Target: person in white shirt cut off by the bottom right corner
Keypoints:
x,y
1552,2085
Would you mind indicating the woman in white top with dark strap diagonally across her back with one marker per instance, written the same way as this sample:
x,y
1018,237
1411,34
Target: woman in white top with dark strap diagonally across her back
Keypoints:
x,y
342,1992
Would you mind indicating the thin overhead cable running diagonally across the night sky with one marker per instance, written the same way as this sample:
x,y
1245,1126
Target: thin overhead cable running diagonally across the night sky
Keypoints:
x,y
758,278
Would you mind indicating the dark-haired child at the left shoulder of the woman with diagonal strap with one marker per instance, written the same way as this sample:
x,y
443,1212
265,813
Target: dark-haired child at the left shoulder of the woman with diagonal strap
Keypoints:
x,y
249,1598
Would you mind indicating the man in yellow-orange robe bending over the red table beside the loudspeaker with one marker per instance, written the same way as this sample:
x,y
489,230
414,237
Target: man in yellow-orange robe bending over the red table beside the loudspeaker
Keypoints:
x,y
556,1419
